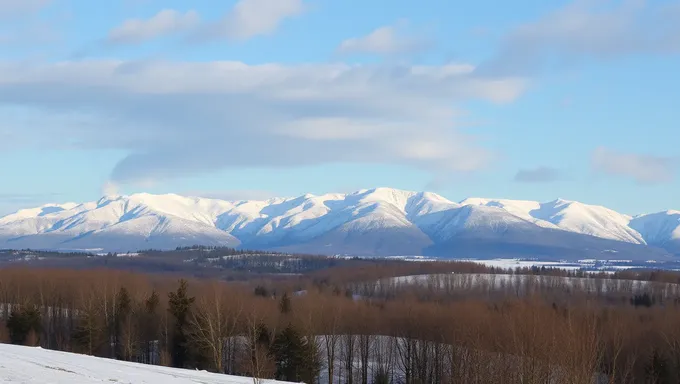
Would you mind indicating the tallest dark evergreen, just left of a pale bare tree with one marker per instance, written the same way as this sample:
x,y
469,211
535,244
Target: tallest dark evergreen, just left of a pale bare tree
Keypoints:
x,y
180,306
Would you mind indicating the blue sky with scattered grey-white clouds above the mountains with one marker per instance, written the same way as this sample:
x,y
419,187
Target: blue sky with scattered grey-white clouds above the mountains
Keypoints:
x,y
252,99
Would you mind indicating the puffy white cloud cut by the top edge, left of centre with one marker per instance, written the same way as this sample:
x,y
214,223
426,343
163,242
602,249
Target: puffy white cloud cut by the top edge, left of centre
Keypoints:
x,y
251,18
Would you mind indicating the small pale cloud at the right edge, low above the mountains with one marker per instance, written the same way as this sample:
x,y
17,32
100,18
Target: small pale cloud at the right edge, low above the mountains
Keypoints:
x,y
644,169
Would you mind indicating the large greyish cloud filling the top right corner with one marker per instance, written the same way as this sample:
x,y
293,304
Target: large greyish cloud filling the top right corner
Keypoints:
x,y
586,29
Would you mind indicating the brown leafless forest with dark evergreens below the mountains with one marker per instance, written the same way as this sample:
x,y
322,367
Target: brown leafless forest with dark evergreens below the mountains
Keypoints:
x,y
360,322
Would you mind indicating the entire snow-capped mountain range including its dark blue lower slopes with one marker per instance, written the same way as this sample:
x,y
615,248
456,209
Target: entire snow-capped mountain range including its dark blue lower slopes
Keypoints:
x,y
379,222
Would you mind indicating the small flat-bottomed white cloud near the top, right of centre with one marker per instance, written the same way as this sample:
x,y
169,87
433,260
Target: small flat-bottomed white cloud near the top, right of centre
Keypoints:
x,y
387,40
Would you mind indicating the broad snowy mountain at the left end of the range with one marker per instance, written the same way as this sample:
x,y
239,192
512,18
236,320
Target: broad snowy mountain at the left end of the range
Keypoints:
x,y
114,224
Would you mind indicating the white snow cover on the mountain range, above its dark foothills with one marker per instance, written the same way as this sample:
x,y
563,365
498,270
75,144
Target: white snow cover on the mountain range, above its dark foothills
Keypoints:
x,y
142,221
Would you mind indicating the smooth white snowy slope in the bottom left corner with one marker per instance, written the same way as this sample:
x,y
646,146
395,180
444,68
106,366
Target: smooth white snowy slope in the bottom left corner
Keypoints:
x,y
41,366
